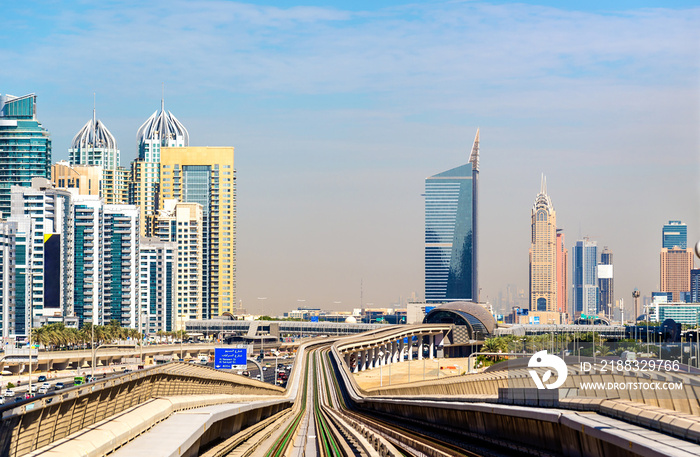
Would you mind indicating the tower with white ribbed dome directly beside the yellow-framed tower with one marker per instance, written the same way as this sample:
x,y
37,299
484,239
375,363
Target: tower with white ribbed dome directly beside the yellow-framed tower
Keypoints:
x,y
160,130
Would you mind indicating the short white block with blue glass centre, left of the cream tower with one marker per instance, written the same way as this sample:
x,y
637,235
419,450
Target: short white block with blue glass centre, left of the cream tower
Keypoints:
x,y
157,286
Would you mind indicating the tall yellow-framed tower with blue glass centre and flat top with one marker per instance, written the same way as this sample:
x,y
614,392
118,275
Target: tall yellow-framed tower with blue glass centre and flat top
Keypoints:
x,y
206,175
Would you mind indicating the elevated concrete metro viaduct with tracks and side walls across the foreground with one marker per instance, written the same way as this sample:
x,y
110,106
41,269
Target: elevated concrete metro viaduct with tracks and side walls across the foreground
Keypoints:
x,y
329,408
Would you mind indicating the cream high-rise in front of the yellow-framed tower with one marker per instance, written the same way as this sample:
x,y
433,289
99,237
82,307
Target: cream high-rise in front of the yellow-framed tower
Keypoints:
x,y
183,225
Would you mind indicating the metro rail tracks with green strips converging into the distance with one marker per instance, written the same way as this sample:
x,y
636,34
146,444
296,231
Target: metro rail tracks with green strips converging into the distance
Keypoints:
x,y
323,422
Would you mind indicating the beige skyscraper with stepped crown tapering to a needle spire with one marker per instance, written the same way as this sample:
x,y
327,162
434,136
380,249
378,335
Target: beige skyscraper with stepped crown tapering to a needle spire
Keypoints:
x,y
543,253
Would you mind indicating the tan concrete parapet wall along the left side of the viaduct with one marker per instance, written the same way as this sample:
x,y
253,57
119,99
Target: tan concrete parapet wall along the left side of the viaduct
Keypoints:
x,y
35,423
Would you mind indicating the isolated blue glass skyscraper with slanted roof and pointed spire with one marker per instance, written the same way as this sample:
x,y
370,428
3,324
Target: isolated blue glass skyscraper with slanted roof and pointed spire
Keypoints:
x,y
451,261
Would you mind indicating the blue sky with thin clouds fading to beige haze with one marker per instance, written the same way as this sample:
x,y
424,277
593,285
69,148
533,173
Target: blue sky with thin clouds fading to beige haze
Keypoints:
x,y
338,111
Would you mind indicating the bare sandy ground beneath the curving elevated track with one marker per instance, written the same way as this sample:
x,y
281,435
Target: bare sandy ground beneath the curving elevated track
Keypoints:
x,y
398,373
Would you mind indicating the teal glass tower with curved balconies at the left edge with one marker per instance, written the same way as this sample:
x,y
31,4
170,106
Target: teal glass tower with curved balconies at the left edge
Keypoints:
x,y
25,147
